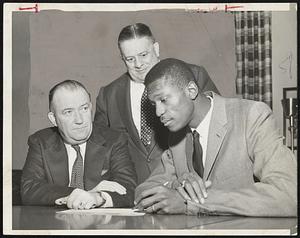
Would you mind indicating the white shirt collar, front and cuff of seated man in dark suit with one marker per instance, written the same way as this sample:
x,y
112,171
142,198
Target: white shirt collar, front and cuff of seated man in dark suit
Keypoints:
x,y
72,154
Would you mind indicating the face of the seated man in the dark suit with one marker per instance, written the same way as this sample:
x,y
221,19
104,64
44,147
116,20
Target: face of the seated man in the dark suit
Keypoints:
x,y
72,114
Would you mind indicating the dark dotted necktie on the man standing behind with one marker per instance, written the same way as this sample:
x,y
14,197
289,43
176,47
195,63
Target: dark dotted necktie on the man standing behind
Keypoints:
x,y
147,119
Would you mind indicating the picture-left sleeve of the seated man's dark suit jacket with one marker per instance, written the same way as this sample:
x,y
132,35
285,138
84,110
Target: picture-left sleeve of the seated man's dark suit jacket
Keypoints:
x,y
36,189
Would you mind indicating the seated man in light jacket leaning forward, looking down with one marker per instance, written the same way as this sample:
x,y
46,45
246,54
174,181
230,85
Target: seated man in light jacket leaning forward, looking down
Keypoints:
x,y
238,166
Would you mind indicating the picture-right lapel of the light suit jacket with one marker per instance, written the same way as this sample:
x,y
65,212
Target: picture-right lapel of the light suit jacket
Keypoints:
x,y
217,132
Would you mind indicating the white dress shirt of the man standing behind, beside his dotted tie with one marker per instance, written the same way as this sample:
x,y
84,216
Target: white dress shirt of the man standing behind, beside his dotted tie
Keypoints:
x,y
136,92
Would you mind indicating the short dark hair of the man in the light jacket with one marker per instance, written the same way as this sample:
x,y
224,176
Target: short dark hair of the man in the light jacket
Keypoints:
x,y
172,71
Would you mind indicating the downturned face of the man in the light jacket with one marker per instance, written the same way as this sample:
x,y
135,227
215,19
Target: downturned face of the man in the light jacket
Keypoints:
x,y
173,105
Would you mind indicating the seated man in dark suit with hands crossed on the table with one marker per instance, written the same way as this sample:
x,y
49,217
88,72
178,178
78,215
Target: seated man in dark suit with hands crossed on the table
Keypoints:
x,y
72,164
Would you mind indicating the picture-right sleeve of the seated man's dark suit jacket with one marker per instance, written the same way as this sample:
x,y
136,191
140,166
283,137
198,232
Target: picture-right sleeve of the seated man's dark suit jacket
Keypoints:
x,y
122,171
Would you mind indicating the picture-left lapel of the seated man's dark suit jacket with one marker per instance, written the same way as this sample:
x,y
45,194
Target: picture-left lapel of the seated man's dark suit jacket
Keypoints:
x,y
57,160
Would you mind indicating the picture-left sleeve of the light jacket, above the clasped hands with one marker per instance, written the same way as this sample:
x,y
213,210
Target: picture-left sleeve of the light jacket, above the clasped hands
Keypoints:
x,y
163,174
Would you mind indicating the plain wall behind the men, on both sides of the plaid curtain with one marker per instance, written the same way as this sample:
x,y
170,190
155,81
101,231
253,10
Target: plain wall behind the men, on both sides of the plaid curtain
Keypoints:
x,y
83,46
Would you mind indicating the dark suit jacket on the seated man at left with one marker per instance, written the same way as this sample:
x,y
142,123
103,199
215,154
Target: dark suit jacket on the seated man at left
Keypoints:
x,y
46,177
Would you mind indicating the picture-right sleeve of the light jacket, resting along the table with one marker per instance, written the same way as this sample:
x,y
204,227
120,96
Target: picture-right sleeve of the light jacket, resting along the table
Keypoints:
x,y
275,167
